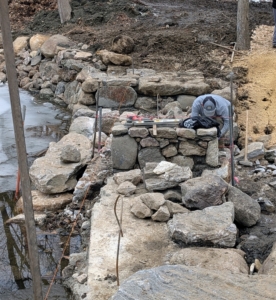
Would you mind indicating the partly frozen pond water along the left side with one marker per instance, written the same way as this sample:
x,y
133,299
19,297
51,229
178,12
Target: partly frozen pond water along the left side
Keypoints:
x,y
41,127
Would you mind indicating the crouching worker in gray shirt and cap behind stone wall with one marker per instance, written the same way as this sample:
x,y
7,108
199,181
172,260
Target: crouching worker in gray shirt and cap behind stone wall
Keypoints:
x,y
216,107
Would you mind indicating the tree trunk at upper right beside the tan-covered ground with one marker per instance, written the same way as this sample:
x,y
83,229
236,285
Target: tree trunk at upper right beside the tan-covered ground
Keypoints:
x,y
243,37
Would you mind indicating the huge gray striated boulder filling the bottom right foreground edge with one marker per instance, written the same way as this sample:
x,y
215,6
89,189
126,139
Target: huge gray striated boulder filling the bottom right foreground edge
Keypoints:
x,y
194,283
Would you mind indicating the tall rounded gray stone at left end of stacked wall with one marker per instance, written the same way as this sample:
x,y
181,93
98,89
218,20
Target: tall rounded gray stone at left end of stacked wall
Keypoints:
x,y
124,152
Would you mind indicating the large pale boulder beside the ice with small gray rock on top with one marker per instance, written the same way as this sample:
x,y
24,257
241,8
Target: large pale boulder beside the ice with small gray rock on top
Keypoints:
x,y
50,175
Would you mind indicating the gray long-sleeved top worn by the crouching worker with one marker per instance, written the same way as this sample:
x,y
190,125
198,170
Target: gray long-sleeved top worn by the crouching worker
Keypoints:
x,y
221,110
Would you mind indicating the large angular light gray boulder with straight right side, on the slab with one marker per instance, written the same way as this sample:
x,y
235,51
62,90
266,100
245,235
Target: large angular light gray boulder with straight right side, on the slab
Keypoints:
x,y
212,226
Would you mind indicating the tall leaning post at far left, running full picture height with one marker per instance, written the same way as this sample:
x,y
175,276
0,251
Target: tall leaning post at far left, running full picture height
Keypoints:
x,y
21,149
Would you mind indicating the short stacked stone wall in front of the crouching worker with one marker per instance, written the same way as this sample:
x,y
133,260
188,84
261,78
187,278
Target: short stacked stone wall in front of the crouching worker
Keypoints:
x,y
182,146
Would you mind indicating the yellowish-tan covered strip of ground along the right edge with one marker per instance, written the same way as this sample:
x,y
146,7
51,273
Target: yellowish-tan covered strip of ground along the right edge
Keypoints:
x,y
261,101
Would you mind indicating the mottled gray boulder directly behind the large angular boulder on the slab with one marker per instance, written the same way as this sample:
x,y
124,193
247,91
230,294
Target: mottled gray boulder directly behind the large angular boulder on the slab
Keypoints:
x,y
201,192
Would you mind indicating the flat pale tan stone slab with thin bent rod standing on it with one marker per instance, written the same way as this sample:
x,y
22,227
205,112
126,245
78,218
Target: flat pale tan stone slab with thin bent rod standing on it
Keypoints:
x,y
143,245
